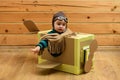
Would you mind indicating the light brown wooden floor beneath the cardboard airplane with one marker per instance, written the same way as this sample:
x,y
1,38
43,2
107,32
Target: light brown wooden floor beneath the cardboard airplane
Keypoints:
x,y
19,63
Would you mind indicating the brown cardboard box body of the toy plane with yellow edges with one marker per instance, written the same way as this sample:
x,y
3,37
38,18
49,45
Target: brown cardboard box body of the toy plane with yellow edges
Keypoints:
x,y
76,53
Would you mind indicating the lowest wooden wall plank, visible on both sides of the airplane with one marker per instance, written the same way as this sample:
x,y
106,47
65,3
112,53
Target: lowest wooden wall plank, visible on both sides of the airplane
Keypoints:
x,y
31,39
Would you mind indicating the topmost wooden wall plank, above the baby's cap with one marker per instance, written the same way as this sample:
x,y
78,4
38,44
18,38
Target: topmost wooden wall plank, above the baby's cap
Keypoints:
x,y
67,6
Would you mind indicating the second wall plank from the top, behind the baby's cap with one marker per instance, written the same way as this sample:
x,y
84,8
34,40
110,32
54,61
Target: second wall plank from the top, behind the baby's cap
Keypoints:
x,y
44,17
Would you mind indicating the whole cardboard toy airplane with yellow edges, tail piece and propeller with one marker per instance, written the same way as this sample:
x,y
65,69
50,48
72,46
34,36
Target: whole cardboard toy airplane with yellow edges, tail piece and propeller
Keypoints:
x,y
77,57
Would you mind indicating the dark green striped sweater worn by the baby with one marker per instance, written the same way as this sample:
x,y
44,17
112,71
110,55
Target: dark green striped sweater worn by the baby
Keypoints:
x,y
44,43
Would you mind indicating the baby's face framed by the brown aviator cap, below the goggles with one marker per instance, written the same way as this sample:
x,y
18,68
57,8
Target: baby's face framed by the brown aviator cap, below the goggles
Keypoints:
x,y
60,25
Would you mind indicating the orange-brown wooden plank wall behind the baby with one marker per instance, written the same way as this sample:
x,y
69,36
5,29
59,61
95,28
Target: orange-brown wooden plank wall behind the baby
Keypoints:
x,y
100,17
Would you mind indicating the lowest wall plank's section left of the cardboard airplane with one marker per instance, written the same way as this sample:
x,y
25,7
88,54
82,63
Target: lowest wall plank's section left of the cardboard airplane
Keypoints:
x,y
18,39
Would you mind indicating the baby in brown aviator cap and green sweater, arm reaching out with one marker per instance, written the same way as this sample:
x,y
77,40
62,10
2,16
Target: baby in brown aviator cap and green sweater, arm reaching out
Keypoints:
x,y
59,24
